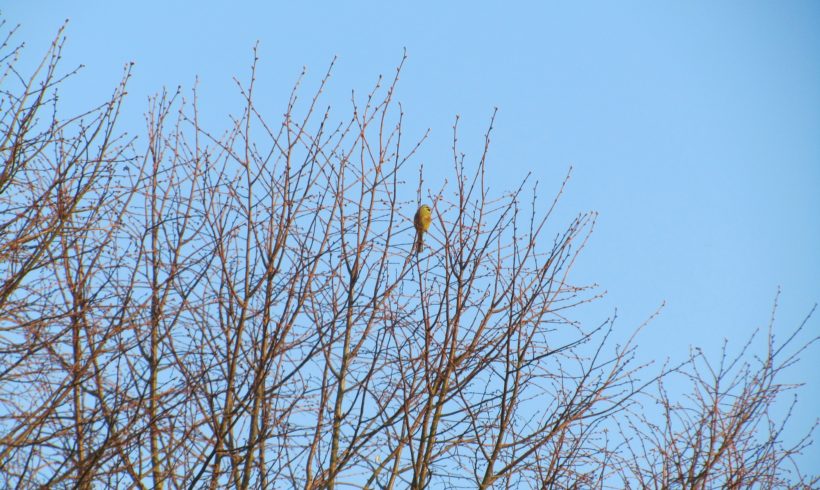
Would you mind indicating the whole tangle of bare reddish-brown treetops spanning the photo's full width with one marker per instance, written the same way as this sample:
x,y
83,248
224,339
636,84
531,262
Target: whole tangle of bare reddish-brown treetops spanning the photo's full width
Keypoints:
x,y
245,308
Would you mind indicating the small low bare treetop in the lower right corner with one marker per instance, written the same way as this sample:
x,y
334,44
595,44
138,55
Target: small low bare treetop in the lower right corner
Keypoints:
x,y
729,431
